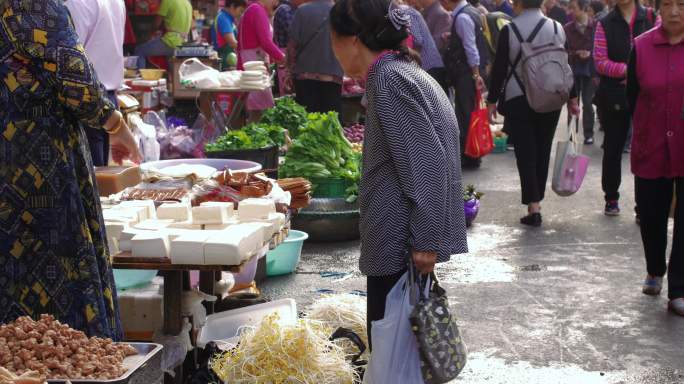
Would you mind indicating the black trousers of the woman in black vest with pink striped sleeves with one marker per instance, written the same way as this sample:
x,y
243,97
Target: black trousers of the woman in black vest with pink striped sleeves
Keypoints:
x,y
616,125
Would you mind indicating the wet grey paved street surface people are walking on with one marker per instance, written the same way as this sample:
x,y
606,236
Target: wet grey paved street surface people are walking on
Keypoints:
x,y
559,304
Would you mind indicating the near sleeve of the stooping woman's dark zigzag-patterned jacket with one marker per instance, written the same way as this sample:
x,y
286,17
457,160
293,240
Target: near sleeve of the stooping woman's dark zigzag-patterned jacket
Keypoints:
x,y
418,156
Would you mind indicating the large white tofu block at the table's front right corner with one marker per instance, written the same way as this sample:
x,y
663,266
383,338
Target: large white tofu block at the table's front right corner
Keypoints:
x,y
233,245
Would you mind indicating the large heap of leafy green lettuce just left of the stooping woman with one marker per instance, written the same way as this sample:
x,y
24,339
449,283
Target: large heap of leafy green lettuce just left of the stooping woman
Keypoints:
x,y
322,152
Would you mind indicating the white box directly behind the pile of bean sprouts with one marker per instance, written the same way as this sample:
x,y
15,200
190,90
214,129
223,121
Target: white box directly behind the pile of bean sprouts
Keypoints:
x,y
226,325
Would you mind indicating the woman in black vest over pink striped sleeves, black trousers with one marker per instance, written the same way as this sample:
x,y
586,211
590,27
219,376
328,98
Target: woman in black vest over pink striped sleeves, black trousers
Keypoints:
x,y
613,40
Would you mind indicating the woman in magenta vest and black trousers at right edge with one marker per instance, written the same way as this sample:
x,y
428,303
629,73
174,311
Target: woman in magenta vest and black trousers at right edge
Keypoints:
x,y
655,91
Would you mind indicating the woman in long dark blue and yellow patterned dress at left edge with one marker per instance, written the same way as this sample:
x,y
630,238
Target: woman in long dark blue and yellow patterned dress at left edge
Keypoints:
x,y
53,253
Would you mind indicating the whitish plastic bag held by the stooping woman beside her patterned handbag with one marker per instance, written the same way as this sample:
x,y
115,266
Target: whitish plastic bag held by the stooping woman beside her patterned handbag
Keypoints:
x,y
395,357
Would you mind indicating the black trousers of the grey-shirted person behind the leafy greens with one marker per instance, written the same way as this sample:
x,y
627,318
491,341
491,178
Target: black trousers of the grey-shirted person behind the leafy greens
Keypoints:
x,y
318,96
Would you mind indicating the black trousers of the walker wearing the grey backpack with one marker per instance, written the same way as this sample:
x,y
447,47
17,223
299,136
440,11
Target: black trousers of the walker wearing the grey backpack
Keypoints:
x,y
533,141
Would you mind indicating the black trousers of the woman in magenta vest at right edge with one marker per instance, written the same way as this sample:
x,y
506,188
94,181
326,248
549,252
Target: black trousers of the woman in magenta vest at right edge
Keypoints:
x,y
654,199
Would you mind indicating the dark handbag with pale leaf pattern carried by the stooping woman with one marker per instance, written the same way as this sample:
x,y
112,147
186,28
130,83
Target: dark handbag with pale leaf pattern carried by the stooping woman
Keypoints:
x,y
442,350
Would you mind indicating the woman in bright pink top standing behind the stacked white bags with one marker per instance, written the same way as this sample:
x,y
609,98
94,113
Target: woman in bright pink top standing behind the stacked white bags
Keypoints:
x,y
255,43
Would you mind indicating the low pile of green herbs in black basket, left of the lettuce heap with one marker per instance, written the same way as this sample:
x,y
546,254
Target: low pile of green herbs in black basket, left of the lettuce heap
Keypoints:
x,y
252,136
